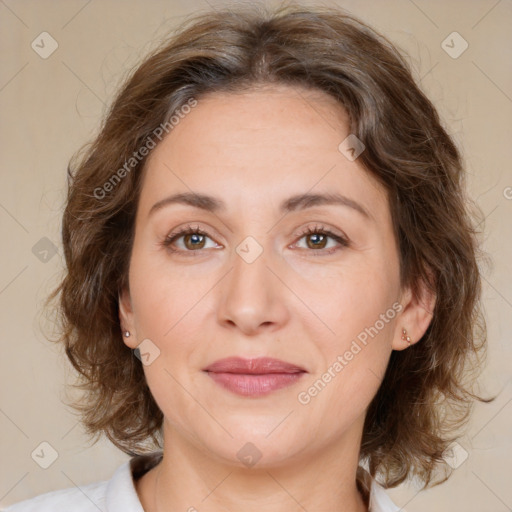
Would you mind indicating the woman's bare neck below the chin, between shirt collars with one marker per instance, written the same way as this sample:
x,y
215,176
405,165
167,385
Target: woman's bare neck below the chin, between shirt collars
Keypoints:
x,y
189,479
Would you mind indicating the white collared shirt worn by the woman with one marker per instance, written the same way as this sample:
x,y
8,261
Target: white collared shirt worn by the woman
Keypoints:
x,y
119,495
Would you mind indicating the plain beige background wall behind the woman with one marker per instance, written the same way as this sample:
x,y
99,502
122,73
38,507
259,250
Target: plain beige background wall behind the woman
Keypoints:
x,y
50,107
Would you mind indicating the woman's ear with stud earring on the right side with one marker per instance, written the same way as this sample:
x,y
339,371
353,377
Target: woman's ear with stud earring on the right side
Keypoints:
x,y
416,315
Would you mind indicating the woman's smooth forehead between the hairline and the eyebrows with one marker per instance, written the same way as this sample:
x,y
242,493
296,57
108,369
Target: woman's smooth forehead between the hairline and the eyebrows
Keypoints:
x,y
257,143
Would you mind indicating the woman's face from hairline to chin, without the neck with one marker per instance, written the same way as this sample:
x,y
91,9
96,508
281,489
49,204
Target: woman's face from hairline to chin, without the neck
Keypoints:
x,y
257,284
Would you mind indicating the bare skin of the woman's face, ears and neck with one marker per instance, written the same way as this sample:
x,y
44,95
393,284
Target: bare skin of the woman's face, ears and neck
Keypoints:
x,y
295,302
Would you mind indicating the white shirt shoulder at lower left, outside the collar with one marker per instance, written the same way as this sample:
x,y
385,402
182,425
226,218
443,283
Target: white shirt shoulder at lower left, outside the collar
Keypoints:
x,y
88,498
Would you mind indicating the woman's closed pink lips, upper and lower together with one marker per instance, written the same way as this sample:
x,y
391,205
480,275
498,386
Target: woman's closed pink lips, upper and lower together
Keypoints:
x,y
254,377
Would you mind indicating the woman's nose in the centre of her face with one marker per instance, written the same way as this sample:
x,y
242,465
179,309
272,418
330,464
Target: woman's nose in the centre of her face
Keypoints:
x,y
253,296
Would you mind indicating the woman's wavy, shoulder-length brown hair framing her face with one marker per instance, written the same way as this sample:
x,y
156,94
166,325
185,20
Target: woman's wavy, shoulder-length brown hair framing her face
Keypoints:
x,y
425,395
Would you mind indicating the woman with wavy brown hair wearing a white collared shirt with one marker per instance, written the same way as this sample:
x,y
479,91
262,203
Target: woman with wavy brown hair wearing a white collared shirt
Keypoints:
x,y
272,295
